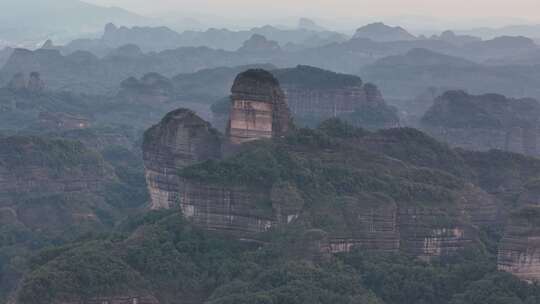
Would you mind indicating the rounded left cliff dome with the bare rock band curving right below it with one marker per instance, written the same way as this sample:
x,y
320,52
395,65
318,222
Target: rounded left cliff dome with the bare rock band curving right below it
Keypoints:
x,y
183,139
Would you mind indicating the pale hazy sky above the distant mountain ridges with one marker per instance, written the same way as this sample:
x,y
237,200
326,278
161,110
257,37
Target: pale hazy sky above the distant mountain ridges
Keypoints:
x,y
525,9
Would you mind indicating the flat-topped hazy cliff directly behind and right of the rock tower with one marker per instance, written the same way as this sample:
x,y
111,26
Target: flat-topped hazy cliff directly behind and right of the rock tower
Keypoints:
x,y
315,95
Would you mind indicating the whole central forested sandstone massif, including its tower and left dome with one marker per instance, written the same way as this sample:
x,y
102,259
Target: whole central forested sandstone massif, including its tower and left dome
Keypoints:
x,y
393,190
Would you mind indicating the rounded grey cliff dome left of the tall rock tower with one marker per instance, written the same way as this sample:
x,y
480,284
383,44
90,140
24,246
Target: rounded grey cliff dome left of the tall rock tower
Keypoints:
x,y
179,140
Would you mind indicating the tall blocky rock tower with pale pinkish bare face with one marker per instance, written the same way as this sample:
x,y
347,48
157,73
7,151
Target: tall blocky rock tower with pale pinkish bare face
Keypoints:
x,y
258,109
